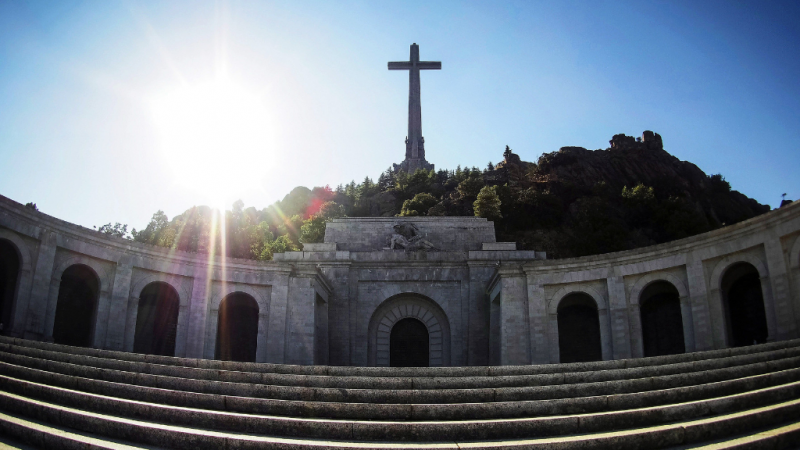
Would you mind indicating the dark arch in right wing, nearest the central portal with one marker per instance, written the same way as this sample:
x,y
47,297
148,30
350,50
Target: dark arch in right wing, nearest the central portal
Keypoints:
x,y
578,329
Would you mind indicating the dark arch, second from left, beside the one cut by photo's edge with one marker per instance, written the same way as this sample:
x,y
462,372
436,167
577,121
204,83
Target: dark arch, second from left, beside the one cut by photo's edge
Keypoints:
x,y
77,303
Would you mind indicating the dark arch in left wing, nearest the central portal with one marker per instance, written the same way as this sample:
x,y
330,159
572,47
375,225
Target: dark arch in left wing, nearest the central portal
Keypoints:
x,y
237,328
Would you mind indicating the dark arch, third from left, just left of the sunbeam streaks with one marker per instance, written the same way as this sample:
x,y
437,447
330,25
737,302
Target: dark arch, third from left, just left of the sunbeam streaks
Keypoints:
x,y
156,320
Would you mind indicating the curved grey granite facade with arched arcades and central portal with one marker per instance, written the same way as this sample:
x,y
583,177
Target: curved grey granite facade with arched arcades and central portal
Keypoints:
x,y
341,302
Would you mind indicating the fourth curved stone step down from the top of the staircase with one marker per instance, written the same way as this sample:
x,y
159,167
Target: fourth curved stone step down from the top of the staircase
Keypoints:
x,y
372,410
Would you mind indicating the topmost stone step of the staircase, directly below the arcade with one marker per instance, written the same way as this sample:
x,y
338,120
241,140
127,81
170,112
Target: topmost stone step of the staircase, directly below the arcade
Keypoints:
x,y
403,372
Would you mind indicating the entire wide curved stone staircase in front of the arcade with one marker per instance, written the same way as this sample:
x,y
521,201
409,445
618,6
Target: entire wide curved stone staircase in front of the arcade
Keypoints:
x,y
55,396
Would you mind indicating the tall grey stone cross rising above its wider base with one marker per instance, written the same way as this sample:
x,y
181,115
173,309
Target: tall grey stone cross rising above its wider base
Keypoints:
x,y
415,144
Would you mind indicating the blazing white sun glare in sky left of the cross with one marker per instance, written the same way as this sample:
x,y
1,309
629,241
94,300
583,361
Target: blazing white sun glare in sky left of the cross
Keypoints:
x,y
216,138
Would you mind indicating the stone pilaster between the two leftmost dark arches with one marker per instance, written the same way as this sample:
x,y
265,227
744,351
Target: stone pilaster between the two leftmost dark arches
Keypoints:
x,y
35,322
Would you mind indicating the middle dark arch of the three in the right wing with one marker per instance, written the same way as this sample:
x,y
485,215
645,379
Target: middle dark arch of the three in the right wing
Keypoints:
x,y
662,322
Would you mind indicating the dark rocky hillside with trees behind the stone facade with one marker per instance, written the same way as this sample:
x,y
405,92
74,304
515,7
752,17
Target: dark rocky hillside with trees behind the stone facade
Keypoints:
x,y
572,202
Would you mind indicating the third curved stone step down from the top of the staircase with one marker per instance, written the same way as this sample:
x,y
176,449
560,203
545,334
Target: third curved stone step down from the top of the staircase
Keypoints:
x,y
626,386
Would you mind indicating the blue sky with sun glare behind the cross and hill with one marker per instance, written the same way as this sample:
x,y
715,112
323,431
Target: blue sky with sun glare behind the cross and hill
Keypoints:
x,y
82,135
